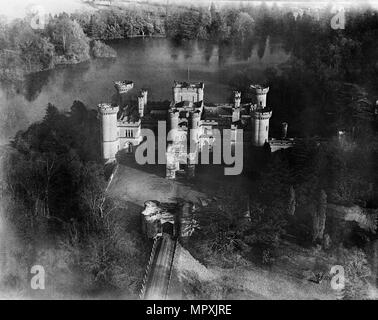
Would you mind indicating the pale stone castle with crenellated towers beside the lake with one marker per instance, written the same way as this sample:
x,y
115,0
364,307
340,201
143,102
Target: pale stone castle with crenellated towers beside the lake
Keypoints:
x,y
190,121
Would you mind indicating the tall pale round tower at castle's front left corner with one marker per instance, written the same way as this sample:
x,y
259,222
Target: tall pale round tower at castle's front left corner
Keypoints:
x,y
109,130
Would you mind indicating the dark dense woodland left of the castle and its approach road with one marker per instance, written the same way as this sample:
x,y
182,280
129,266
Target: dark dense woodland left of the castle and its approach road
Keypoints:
x,y
53,191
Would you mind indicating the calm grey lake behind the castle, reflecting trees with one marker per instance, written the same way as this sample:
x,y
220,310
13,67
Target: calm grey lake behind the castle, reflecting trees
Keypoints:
x,y
153,63
